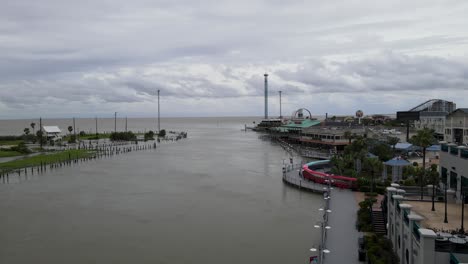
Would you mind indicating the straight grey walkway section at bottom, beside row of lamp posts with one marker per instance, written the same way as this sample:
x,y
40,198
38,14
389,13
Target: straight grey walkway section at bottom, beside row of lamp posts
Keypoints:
x,y
342,238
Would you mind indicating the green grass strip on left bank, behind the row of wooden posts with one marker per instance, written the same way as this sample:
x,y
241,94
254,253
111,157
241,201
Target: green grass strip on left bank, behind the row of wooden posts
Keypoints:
x,y
49,158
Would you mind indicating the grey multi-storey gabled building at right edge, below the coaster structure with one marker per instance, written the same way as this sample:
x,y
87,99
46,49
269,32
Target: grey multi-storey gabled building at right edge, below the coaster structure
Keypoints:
x,y
456,127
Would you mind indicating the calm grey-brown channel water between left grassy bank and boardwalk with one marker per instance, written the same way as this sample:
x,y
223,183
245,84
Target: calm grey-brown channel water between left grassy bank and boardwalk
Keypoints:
x,y
216,197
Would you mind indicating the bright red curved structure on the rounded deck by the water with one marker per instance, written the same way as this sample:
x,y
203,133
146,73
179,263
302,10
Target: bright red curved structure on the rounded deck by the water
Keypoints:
x,y
320,172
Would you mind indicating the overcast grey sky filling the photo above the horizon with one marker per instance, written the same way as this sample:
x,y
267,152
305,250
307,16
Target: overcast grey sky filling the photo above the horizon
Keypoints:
x,y
93,57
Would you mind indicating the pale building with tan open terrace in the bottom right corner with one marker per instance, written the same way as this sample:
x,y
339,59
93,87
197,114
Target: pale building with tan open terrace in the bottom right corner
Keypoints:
x,y
418,235
